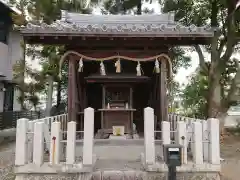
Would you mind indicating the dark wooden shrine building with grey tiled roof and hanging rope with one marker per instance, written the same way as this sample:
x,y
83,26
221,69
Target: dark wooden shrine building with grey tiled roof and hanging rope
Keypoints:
x,y
117,64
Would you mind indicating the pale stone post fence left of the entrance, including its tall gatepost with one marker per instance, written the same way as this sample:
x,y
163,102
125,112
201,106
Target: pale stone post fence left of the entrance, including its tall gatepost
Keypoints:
x,y
32,150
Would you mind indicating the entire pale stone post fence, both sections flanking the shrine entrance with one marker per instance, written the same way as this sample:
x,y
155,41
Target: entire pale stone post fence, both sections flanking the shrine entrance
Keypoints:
x,y
189,133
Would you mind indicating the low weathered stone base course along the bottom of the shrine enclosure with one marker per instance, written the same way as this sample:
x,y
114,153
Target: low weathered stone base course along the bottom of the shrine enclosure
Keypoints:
x,y
119,175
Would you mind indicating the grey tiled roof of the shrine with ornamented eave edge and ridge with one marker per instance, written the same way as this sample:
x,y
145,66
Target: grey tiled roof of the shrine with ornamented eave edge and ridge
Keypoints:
x,y
142,25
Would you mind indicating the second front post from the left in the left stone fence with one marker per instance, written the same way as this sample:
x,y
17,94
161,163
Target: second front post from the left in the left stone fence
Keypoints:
x,y
38,143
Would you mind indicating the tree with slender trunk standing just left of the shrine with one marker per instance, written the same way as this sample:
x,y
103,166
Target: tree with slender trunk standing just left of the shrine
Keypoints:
x,y
48,11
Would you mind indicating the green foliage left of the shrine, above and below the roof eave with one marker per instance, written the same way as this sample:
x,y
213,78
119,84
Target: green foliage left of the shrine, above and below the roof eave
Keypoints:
x,y
40,11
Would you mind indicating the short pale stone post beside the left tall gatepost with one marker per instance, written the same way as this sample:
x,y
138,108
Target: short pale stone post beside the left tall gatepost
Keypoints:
x,y
71,142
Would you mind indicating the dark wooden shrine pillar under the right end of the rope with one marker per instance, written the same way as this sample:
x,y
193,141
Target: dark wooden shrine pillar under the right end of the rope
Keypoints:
x,y
163,91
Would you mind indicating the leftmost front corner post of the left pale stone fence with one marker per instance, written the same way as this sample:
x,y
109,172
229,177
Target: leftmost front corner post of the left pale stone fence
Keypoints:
x,y
21,142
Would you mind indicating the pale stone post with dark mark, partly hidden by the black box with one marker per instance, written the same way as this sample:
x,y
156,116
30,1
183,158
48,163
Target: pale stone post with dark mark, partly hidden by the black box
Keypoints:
x,y
182,138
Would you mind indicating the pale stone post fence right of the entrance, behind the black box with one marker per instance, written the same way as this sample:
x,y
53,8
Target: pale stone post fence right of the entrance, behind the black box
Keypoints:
x,y
199,138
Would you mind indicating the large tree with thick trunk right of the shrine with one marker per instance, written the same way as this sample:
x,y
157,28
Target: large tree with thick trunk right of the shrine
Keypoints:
x,y
214,13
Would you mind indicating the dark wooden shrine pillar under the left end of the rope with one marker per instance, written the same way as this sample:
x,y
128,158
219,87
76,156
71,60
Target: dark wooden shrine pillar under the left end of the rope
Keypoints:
x,y
71,90
